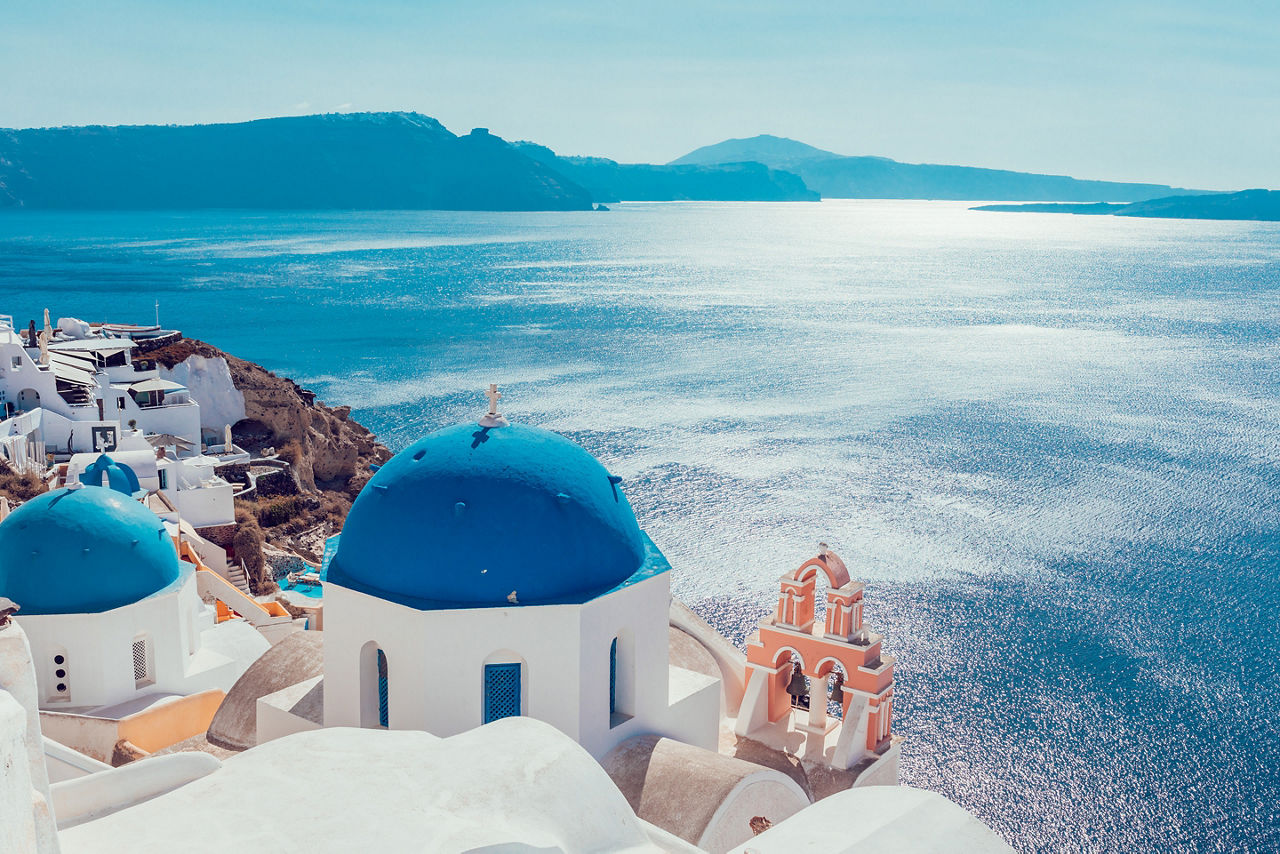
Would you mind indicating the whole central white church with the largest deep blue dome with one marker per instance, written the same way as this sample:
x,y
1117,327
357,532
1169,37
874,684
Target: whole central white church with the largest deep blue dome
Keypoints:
x,y
495,570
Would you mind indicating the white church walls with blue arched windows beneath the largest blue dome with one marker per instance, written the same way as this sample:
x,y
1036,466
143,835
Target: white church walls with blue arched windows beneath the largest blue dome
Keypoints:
x,y
436,666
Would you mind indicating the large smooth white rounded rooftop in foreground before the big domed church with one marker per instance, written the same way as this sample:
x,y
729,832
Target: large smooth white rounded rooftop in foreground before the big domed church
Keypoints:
x,y
515,786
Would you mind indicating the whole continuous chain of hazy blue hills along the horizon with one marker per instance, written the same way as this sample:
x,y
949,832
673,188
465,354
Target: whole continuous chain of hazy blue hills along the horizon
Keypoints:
x,y
412,162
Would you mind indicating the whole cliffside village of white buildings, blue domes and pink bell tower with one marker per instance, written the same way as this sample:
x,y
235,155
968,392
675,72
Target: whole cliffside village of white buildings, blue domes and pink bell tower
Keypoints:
x,y
487,655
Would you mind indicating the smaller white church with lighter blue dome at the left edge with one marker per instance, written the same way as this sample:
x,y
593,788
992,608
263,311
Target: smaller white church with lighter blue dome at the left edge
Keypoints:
x,y
111,610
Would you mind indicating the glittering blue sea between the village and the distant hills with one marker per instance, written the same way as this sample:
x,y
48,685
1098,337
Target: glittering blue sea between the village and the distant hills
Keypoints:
x,y
1050,445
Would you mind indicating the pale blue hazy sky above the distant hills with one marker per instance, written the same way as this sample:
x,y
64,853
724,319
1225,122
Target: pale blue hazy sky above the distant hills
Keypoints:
x,y
1180,93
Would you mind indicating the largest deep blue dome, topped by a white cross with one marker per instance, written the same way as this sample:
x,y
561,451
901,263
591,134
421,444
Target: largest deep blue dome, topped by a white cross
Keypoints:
x,y
470,515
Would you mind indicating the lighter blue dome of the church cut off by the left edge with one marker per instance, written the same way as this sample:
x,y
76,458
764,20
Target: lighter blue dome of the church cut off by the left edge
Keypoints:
x,y
84,551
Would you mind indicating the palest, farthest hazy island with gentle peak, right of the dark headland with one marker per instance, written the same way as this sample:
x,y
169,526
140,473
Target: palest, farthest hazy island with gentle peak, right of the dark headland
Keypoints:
x,y
838,176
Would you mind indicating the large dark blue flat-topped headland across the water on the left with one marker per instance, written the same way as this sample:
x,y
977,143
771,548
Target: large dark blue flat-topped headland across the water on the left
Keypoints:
x,y
353,162
